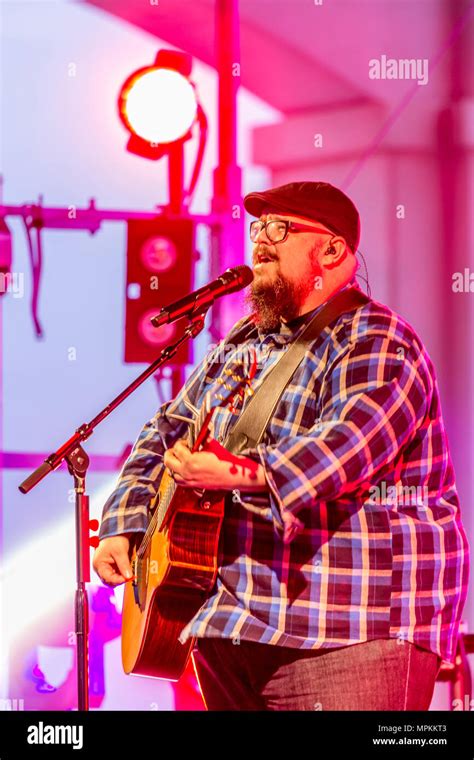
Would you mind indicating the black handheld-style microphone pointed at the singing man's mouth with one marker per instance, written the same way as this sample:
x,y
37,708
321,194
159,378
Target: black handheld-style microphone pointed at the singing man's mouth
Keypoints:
x,y
228,282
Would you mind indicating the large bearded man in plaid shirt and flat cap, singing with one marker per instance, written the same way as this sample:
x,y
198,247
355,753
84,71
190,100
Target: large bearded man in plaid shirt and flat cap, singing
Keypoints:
x,y
343,562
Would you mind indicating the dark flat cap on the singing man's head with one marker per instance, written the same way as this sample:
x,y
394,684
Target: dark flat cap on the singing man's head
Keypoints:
x,y
319,201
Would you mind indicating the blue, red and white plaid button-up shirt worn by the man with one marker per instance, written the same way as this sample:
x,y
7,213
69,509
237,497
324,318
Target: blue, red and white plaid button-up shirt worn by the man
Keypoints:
x,y
358,450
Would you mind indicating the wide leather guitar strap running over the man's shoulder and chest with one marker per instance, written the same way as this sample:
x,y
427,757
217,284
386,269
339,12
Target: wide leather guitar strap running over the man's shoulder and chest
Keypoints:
x,y
252,423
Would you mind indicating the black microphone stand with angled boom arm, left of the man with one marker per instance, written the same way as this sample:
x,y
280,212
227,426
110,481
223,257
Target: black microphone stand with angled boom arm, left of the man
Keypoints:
x,y
77,462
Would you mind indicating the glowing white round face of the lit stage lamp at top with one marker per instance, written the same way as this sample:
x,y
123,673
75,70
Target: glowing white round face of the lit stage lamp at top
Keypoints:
x,y
158,105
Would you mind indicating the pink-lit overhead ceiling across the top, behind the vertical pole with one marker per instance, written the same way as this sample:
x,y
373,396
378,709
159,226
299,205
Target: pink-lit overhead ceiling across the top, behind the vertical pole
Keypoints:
x,y
300,55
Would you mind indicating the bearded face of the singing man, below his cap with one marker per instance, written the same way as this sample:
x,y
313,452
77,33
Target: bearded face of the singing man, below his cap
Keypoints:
x,y
285,272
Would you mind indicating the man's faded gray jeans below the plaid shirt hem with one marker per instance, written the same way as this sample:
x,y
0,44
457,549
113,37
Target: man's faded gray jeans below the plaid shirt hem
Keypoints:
x,y
385,674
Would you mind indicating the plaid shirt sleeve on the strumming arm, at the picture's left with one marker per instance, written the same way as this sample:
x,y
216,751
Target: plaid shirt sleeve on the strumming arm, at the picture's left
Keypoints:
x,y
126,509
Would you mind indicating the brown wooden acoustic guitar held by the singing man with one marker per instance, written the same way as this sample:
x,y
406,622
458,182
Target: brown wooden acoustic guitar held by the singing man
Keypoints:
x,y
175,563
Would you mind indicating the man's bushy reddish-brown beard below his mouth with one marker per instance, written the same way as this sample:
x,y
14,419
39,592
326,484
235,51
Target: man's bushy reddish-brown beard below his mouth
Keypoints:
x,y
272,298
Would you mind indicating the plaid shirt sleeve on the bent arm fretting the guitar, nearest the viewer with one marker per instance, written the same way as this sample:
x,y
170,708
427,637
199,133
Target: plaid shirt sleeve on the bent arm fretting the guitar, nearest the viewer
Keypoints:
x,y
373,398
